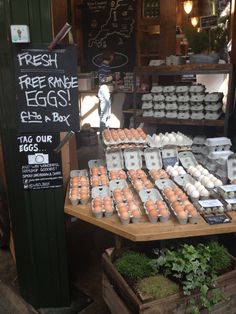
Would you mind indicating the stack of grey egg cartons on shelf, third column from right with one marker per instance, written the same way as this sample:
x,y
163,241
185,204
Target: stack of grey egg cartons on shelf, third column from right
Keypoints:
x,y
183,102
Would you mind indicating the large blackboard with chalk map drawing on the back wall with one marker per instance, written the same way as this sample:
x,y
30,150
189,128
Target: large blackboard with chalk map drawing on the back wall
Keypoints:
x,y
110,25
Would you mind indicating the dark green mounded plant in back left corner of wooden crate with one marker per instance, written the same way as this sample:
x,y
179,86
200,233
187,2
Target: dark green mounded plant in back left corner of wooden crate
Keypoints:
x,y
134,265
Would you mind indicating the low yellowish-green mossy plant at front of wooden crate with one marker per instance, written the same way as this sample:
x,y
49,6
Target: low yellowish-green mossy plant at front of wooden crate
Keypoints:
x,y
157,287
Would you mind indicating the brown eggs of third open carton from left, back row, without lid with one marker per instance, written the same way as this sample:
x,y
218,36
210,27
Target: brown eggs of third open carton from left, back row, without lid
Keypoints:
x,y
139,179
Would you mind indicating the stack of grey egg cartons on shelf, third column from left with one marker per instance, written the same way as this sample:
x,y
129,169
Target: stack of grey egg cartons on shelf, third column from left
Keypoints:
x,y
170,101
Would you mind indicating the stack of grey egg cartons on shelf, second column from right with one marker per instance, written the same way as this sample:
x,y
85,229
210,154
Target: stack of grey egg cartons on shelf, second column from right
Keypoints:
x,y
196,99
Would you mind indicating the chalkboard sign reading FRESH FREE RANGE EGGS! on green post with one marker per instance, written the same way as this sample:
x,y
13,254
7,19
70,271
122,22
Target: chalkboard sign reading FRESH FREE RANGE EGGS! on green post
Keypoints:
x,y
47,89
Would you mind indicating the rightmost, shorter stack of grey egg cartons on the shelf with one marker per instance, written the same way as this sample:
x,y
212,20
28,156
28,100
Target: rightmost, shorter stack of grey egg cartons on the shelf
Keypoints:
x,y
213,105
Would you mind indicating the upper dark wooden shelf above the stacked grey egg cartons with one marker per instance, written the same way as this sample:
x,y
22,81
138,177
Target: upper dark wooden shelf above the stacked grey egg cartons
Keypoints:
x,y
186,69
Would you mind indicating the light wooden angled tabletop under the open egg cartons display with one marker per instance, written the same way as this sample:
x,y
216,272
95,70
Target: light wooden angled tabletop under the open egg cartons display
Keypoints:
x,y
144,230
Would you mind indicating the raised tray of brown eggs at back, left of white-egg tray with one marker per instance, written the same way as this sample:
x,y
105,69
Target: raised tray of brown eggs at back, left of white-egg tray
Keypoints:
x,y
120,136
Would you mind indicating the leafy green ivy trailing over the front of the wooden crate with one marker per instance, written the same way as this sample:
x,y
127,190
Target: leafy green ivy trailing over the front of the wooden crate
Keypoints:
x,y
196,270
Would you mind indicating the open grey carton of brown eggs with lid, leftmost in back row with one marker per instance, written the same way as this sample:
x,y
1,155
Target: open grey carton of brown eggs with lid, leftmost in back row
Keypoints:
x,y
98,172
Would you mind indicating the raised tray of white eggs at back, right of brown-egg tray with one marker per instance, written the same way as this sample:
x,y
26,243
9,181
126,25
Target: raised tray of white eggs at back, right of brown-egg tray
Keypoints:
x,y
161,140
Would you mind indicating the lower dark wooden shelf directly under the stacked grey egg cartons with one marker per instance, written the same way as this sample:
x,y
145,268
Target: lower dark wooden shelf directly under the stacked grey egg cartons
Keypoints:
x,y
165,121
